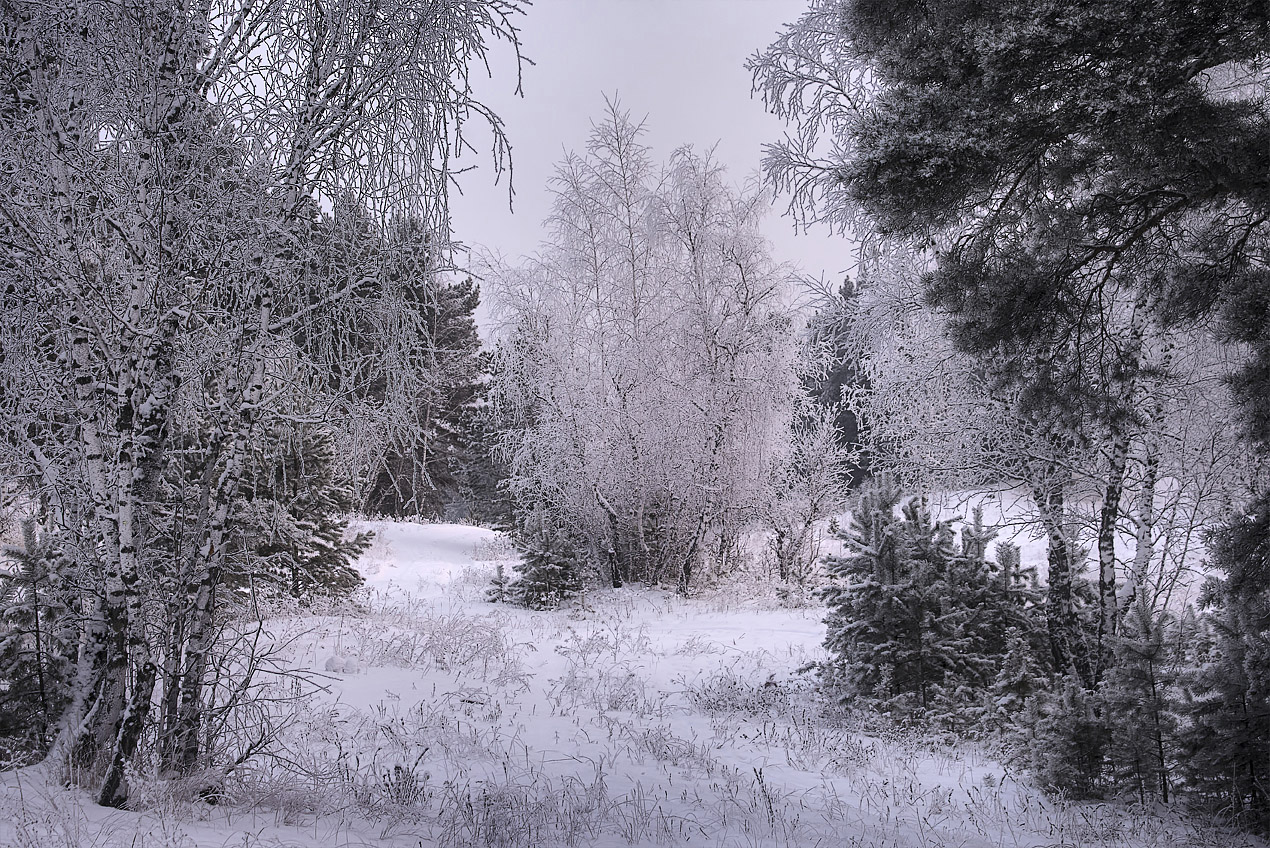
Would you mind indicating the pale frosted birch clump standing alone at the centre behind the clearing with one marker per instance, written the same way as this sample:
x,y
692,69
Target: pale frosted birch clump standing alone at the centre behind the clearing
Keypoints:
x,y
647,357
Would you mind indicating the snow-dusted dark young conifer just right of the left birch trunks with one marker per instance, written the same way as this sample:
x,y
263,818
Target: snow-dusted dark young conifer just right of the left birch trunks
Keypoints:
x,y
294,521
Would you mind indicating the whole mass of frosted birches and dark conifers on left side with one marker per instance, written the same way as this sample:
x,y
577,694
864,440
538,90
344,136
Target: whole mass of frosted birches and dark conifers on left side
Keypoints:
x,y
223,327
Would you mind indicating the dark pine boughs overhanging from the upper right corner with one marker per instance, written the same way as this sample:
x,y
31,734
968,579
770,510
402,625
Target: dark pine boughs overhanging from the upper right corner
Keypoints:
x,y
1065,152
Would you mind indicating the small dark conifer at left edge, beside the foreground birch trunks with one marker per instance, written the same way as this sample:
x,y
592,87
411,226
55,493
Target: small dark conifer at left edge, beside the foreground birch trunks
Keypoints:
x,y
37,647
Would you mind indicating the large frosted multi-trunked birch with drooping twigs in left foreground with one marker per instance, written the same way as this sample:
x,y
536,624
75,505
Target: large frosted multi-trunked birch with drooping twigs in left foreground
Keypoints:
x,y
164,169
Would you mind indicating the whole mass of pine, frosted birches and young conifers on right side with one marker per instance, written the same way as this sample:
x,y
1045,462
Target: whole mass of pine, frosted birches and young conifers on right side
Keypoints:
x,y
1061,216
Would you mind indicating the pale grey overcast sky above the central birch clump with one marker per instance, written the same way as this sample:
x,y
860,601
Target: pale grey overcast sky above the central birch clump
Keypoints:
x,y
678,63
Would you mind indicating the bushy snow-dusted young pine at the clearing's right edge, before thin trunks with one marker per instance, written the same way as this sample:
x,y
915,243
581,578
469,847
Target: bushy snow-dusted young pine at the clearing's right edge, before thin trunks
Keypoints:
x,y
919,625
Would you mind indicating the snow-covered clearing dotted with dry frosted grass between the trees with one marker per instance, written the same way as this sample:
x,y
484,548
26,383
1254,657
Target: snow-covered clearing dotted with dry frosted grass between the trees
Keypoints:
x,y
639,718
